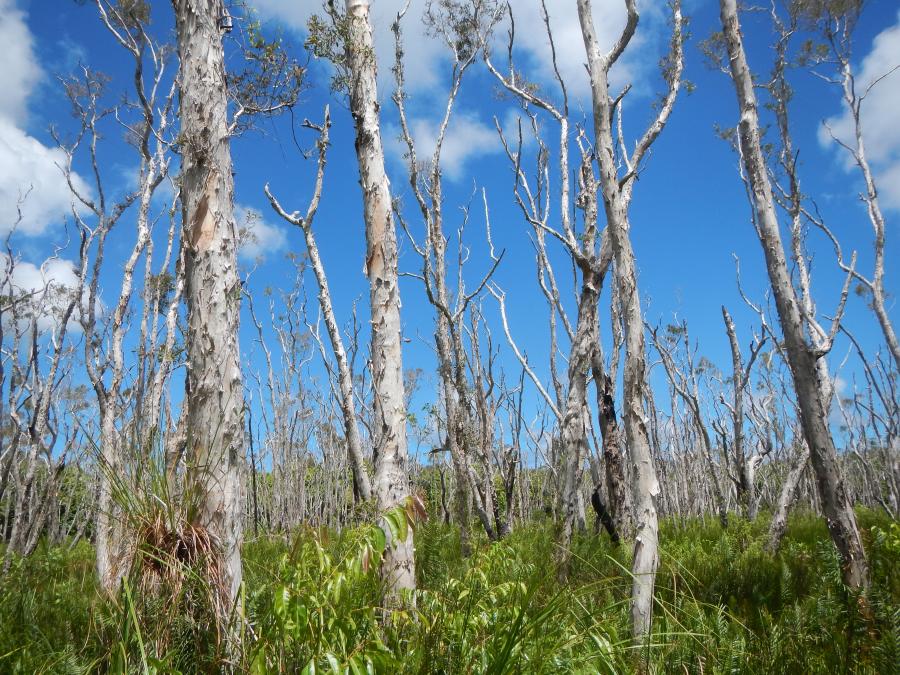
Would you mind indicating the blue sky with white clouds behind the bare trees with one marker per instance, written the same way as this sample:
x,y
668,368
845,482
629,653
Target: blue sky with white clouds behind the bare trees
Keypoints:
x,y
689,212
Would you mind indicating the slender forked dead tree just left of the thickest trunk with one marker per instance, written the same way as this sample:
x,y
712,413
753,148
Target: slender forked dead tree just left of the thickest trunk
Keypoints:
x,y
106,371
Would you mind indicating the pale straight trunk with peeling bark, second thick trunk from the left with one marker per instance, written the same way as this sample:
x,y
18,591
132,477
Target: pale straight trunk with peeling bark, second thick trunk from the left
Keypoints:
x,y
391,480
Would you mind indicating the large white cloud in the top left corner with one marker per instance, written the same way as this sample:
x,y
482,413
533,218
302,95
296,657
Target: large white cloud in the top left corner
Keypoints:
x,y
28,169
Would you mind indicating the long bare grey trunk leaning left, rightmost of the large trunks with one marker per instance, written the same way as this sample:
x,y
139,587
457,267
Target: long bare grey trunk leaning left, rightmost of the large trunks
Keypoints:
x,y
801,356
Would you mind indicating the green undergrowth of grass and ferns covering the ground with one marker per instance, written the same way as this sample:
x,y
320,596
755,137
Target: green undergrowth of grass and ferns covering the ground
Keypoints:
x,y
314,605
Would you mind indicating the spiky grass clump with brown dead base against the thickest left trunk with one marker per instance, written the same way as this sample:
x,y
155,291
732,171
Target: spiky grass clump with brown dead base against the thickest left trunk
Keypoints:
x,y
174,586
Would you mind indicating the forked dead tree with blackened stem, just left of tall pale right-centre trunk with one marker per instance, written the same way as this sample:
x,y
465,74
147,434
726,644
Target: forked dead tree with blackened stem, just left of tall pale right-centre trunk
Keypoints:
x,y
591,254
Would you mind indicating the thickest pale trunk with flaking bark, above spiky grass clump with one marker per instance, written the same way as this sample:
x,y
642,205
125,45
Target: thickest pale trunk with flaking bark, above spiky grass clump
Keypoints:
x,y
214,395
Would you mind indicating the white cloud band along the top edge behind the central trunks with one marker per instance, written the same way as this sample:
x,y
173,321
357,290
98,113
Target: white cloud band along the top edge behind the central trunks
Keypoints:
x,y
424,53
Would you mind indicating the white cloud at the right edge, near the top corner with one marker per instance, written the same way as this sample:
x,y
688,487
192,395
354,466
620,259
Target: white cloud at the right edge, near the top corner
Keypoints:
x,y
881,132
